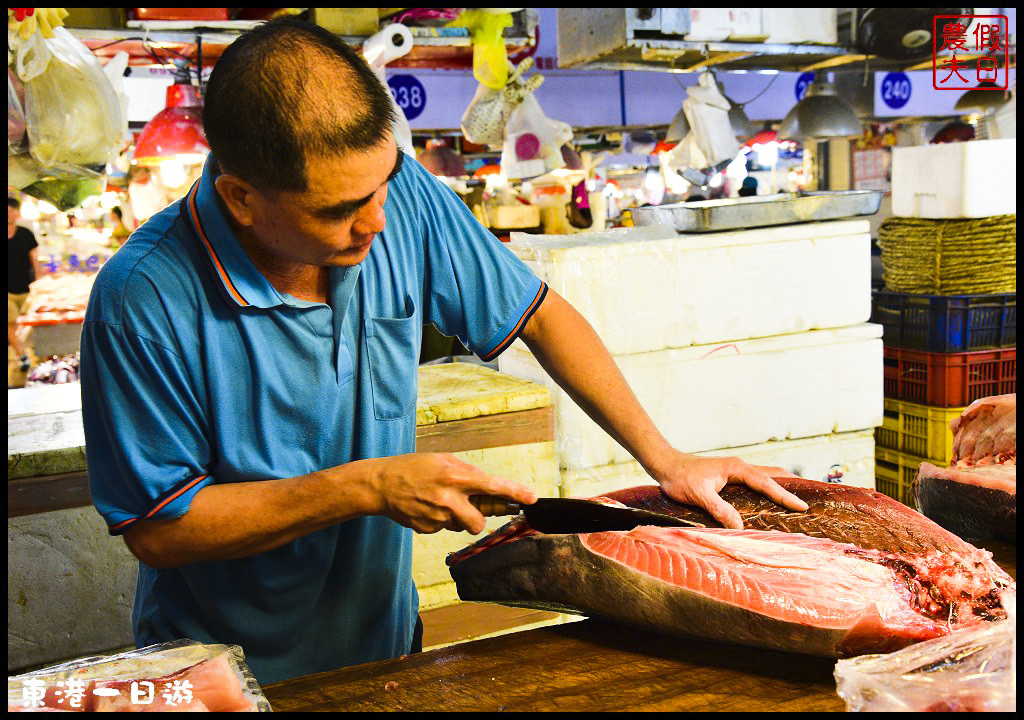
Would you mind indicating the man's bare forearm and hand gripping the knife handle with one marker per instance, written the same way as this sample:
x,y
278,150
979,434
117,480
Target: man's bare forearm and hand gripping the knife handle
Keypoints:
x,y
428,492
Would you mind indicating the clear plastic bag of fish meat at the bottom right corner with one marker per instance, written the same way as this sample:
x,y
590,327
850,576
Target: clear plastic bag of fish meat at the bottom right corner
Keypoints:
x,y
970,670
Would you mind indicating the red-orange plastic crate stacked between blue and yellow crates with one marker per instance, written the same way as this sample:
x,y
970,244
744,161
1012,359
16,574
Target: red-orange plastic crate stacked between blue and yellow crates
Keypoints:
x,y
949,379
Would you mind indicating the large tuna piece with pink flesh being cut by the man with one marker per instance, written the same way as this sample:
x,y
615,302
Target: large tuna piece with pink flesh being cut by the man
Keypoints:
x,y
859,573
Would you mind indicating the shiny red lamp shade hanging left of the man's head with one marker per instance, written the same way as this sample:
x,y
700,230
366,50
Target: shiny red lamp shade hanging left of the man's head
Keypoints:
x,y
176,133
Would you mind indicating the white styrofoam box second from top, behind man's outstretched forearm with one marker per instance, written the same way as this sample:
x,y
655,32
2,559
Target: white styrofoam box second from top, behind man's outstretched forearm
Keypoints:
x,y
732,395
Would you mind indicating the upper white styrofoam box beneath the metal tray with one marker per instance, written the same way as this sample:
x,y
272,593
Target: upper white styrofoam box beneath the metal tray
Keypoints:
x,y
647,289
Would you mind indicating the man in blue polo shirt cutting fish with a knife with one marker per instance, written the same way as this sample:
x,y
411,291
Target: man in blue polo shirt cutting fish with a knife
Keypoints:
x,y
249,365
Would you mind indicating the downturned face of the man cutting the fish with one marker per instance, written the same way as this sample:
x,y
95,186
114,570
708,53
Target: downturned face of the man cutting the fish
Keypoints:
x,y
335,221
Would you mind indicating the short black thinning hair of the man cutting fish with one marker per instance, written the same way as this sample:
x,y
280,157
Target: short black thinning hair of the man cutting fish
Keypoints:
x,y
288,91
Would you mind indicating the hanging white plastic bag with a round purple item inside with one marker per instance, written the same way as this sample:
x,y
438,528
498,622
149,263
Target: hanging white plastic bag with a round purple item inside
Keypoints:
x,y
533,142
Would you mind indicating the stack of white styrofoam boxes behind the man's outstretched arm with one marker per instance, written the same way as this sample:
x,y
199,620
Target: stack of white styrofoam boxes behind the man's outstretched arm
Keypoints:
x,y
751,344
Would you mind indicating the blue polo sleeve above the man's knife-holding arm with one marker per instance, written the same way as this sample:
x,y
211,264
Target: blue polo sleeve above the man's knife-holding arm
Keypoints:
x,y
146,448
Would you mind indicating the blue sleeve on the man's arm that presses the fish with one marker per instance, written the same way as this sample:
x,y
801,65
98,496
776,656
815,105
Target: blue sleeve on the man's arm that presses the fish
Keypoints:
x,y
476,288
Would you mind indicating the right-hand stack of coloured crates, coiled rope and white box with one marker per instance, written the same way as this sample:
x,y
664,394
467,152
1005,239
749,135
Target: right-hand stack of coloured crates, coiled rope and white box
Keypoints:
x,y
944,351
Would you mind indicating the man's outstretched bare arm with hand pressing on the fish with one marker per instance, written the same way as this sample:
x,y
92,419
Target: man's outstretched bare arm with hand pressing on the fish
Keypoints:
x,y
572,353
